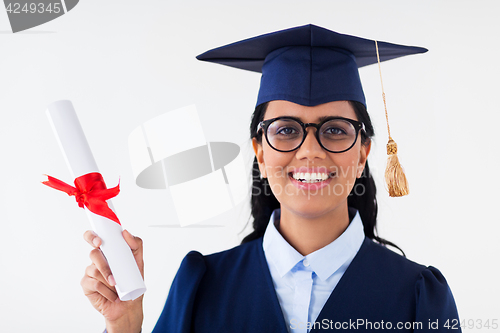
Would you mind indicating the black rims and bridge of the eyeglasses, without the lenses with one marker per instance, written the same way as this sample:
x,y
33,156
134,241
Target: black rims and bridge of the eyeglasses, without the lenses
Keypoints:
x,y
263,125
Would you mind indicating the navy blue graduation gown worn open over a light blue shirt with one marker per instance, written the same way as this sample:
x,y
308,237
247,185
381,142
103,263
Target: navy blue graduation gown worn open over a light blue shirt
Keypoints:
x,y
232,291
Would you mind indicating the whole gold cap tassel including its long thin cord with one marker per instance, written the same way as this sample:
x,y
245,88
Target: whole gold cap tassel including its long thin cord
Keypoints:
x,y
397,185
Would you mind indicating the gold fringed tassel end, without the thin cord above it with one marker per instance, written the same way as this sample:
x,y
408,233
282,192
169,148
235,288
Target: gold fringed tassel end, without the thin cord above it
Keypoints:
x,y
397,185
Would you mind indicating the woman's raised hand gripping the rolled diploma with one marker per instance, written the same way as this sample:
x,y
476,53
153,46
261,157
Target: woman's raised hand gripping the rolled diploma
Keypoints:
x,y
98,285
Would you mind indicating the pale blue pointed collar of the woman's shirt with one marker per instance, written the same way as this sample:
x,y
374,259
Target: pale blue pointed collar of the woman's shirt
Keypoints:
x,y
325,261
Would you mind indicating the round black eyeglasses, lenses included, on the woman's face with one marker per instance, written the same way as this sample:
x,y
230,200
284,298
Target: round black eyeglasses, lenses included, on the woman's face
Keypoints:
x,y
334,134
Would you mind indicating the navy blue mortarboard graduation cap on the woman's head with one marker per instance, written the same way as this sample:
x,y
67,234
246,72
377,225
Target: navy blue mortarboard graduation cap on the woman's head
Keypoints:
x,y
307,65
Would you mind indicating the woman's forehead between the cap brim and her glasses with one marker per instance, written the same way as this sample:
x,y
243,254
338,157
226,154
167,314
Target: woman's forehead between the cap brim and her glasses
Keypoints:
x,y
310,113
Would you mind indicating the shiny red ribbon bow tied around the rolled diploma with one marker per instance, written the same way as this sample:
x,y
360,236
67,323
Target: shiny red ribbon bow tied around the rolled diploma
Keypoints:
x,y
90,191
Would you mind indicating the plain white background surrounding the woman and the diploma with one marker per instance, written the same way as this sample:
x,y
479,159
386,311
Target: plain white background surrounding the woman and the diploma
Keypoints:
x,y
124,62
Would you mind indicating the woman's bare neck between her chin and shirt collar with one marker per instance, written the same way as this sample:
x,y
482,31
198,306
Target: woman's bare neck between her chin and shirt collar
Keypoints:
x,y
307,234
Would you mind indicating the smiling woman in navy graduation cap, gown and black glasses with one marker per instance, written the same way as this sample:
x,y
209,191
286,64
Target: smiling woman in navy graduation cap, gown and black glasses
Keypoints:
x,y
311,264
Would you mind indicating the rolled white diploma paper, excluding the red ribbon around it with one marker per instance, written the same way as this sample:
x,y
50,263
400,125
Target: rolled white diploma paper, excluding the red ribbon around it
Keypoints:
x,y
76,150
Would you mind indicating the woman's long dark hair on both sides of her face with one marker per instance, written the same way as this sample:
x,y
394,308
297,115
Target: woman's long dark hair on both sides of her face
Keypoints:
x,y
263,201
